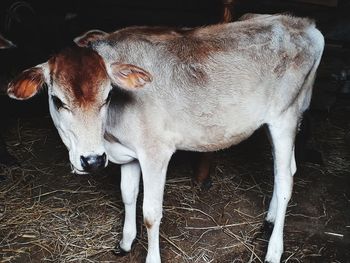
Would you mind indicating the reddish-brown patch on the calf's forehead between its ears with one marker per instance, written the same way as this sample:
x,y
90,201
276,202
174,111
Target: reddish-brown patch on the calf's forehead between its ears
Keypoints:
x,y
81,72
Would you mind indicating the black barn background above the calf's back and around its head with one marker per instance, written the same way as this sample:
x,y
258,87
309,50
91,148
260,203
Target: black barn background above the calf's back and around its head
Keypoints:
x,y
41,28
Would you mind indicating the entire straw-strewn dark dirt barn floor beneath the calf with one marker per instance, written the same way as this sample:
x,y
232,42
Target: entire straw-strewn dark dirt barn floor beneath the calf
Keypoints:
x,y
48,214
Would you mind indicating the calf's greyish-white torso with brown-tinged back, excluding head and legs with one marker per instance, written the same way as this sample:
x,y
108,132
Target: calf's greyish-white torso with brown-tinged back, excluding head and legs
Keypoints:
x,y
213,86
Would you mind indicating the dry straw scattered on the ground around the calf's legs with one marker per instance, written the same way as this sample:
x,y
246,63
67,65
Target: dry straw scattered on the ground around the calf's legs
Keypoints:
x,y
50,215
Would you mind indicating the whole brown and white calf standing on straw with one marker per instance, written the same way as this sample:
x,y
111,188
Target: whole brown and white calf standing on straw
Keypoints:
x,y
137,95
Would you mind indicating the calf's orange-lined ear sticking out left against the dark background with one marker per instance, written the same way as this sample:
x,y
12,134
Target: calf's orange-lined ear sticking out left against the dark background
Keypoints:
x,y
28,83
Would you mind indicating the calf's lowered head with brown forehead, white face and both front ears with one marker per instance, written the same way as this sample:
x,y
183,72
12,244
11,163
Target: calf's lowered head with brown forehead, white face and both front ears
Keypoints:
x,y
79,84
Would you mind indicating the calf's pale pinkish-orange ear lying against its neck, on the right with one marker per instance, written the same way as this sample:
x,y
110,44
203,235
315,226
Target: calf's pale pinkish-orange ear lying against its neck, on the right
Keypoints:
x,y
128,76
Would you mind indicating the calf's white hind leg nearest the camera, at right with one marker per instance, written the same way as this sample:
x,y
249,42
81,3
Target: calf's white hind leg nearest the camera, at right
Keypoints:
x,y
282,131
